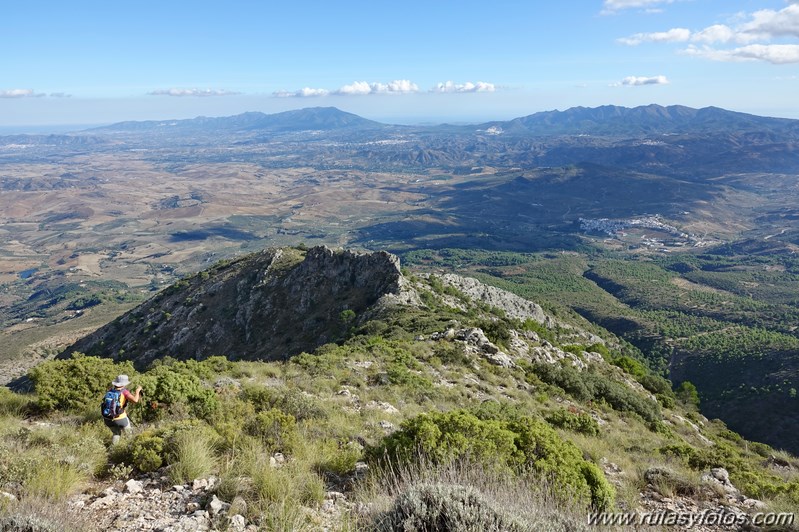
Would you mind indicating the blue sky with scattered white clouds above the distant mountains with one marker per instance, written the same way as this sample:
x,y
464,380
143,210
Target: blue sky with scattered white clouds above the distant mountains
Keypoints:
x,y
88,62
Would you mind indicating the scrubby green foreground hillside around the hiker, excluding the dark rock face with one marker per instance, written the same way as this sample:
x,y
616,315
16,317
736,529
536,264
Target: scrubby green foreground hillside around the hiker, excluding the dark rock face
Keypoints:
x,y
449,402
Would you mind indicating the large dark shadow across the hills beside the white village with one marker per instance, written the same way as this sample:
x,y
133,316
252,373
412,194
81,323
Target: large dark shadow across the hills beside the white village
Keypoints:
x,y
538,212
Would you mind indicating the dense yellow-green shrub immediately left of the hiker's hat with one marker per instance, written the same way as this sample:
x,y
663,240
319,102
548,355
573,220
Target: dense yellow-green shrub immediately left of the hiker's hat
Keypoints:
x,y
75,383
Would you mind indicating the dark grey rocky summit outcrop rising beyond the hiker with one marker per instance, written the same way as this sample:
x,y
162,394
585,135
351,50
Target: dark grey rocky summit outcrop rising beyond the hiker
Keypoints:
x,y
266,306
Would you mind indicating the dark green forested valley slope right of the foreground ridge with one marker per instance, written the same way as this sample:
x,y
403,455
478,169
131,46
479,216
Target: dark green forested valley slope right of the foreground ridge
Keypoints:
x,y
725,323
